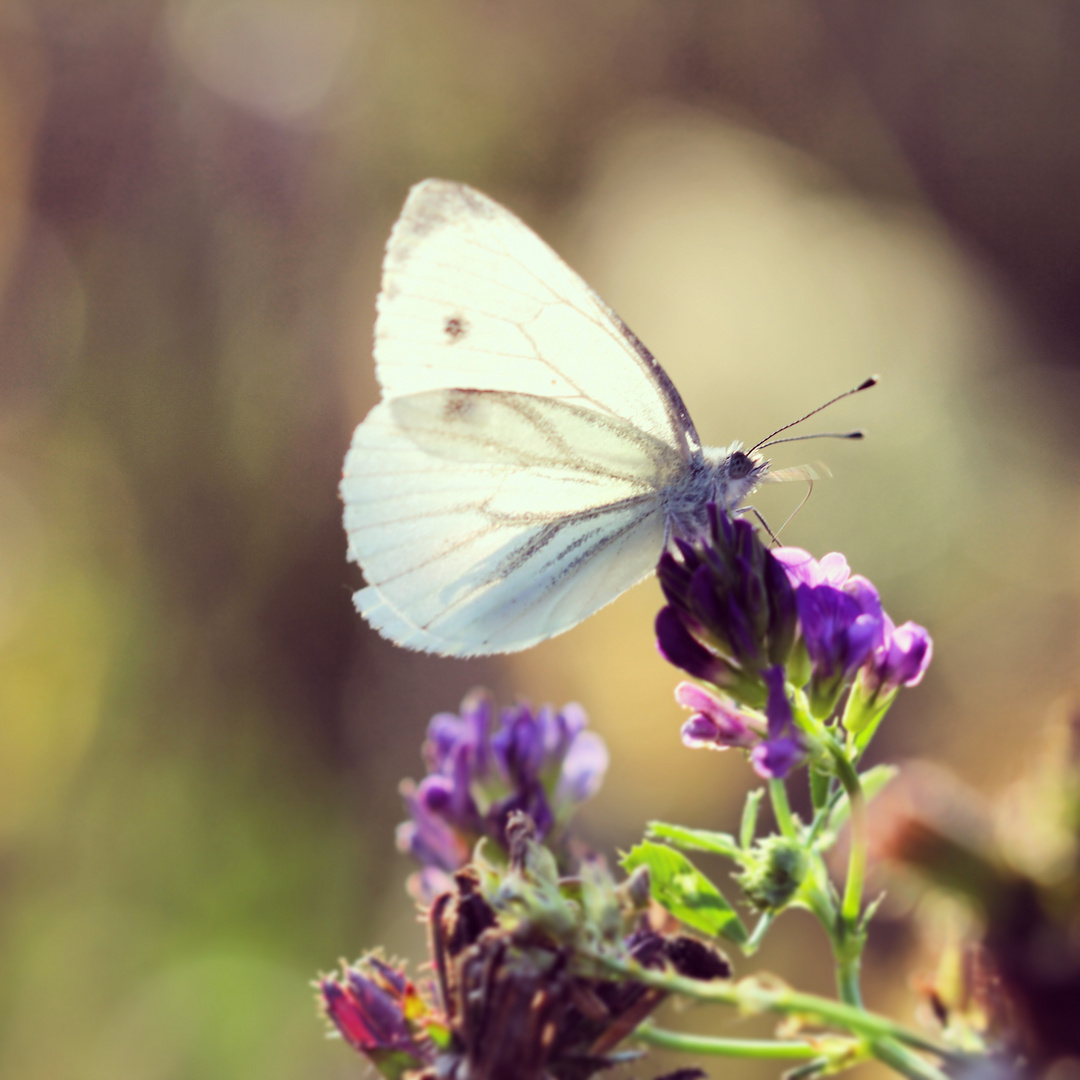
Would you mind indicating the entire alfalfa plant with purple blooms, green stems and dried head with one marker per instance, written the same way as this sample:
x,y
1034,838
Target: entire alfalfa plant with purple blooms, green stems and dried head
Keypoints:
x,y
546,964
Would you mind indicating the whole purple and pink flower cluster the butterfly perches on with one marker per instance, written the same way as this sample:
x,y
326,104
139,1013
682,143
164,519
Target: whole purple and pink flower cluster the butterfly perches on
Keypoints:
x,y
752,623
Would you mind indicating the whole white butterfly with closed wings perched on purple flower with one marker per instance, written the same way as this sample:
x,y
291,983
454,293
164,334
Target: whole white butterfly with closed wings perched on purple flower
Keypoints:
x,y
530,458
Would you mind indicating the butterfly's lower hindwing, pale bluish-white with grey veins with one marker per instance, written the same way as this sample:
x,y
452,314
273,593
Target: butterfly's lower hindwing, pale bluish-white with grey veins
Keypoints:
x,y
488,522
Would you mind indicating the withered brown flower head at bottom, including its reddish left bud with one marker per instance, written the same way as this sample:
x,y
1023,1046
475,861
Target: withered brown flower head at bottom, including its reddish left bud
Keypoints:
x,y
518,988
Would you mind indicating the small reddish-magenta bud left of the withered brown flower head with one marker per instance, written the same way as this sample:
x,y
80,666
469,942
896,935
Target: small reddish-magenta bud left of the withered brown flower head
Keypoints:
x,y
372,1006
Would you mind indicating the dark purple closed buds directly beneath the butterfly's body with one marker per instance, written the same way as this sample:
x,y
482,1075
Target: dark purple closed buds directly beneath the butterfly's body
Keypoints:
x,y
731,609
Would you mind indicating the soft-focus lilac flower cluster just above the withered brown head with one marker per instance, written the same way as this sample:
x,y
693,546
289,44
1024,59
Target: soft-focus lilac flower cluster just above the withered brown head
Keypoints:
x,y
484,767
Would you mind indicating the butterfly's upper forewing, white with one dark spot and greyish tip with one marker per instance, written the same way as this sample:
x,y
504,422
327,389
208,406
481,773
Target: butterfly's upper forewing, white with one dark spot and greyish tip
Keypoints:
x,y
472,299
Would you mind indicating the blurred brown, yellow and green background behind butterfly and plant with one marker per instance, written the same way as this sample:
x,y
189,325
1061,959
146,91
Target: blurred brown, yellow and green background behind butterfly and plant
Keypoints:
x,y
200,742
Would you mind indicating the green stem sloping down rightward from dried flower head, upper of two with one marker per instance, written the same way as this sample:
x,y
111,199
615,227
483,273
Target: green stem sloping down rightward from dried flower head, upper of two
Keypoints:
x,y
752,997
